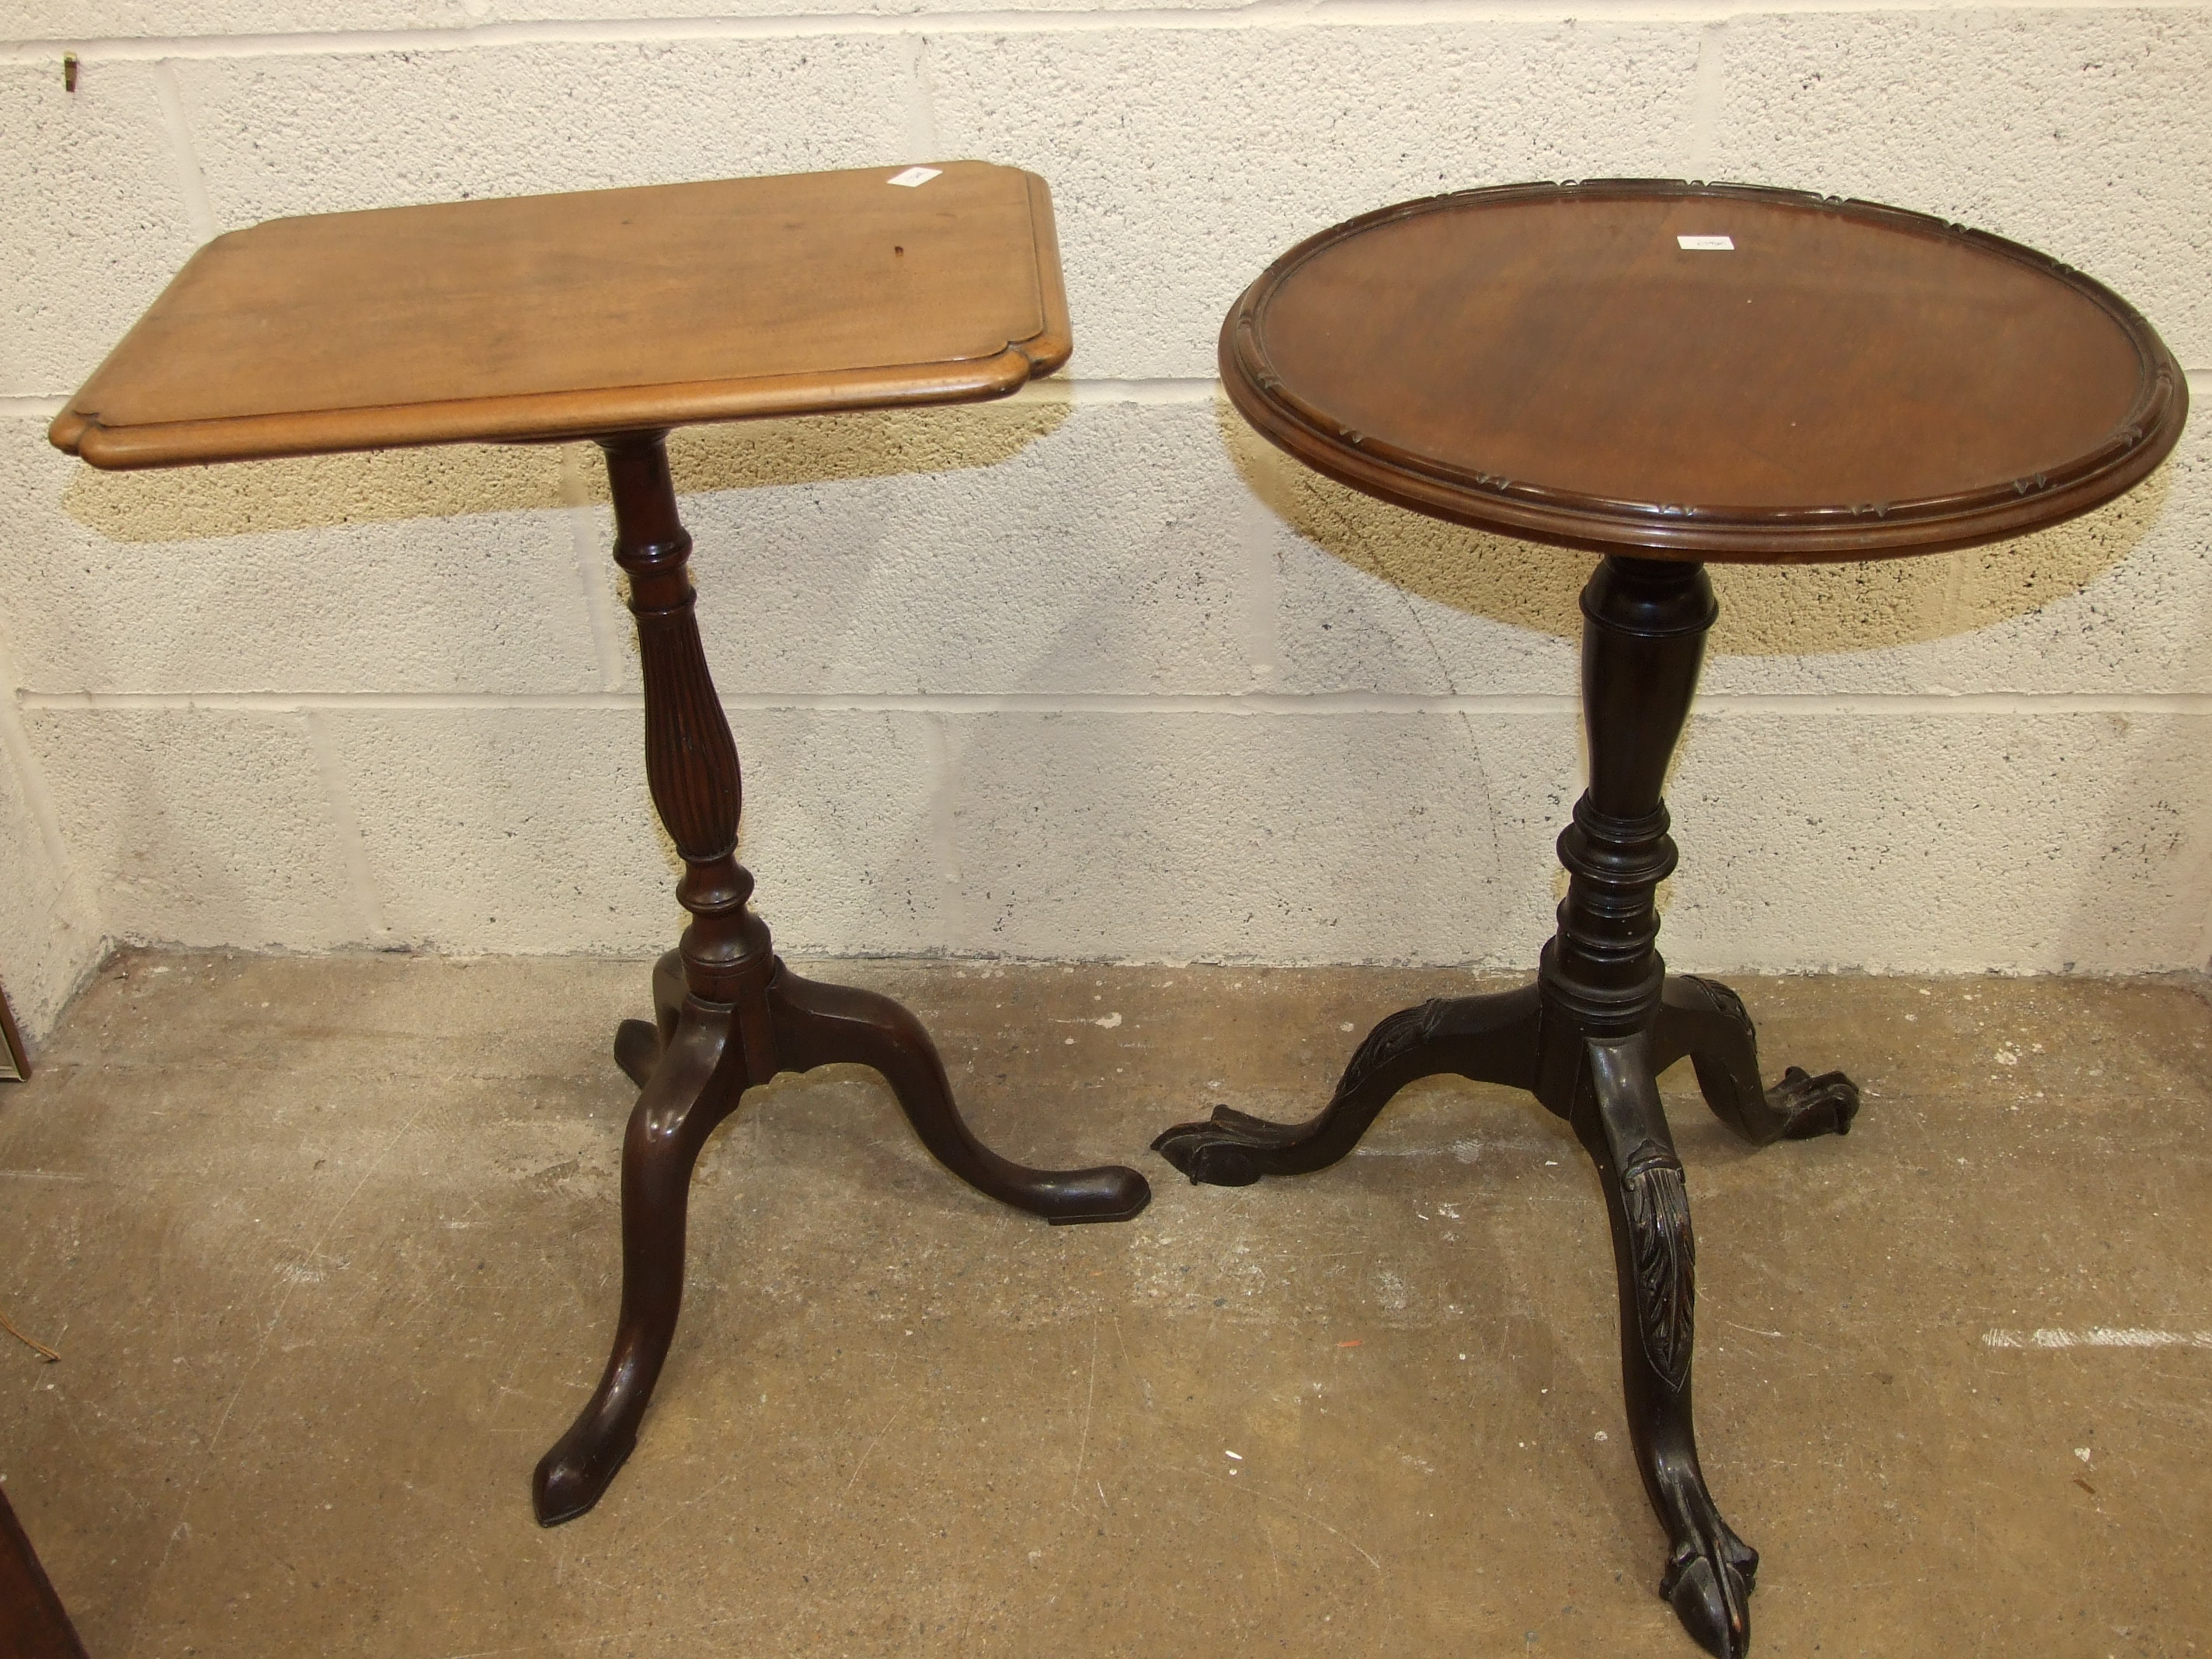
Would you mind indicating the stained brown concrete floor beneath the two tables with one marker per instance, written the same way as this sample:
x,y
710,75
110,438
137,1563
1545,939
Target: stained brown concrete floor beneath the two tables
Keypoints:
x,y
331,1253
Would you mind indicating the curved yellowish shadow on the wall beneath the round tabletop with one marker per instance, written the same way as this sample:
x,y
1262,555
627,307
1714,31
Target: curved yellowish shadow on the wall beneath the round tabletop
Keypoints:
x,y
1766,612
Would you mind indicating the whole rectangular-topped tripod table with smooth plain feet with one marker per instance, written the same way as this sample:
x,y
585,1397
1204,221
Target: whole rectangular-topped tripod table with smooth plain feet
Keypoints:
x,y
618,315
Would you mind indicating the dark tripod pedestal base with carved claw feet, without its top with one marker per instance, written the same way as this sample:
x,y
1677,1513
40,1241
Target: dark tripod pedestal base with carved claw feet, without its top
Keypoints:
x,y
1589,1041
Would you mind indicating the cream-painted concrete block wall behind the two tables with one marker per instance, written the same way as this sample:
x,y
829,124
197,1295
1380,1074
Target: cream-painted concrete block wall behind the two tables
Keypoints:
x,y
1089,674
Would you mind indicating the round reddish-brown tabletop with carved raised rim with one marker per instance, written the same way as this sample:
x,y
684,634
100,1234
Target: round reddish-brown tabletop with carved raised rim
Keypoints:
x,y
1702,373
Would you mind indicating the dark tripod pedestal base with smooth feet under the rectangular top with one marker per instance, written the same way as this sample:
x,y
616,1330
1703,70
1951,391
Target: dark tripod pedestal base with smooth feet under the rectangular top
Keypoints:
x,y
729,1014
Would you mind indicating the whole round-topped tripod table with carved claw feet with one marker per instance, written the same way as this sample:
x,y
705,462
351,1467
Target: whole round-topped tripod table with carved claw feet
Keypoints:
x,y
1669,375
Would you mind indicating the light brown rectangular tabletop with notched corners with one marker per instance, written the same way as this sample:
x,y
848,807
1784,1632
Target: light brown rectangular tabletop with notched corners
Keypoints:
x,y
589,313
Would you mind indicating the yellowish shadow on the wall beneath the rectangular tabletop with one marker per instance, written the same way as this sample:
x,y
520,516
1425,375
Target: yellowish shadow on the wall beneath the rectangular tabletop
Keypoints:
x,y
320,492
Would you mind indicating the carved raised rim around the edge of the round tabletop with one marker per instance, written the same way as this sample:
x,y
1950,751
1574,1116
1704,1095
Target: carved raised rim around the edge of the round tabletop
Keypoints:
x,y
1707,532
